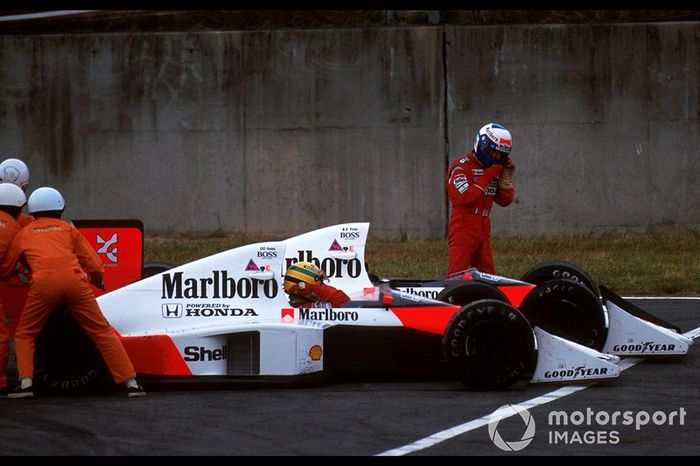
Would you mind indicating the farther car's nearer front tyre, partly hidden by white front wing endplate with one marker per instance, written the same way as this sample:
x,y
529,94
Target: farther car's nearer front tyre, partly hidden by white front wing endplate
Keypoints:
x,y
567,309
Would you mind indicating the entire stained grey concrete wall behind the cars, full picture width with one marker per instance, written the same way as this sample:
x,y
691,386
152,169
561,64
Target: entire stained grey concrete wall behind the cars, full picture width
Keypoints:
x,y
283,131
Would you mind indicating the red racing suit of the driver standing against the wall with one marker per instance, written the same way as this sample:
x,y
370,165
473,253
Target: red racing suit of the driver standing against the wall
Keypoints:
x,y
472,189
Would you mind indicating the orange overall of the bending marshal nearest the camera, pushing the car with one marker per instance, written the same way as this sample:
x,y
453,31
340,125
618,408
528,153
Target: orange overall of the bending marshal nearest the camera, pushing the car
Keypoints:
x,y
61,260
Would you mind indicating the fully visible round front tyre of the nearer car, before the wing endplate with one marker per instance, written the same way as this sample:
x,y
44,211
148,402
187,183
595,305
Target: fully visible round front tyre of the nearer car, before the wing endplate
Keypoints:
x,y
490,345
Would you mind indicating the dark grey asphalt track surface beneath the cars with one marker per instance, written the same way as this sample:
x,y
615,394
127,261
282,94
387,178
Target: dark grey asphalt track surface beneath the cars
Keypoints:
x,y
374,418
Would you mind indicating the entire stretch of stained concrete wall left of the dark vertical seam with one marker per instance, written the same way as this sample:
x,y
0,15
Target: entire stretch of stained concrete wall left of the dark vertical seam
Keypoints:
x,y
213,131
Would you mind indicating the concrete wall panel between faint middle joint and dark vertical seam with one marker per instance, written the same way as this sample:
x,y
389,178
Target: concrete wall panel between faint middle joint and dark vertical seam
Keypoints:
x,y
345,126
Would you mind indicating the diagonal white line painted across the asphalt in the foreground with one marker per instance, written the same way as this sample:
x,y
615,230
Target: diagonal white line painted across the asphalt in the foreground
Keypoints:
x,y
452,432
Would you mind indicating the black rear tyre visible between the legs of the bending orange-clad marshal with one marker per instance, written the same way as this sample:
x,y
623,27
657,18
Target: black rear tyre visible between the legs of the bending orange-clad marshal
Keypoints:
x,y
66,360
